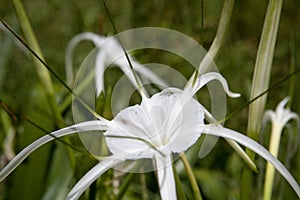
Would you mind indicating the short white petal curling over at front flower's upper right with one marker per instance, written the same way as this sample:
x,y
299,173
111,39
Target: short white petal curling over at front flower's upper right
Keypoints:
x,y
205,78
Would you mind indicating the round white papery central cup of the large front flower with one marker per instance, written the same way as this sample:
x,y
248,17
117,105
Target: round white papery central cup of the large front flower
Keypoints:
x,y
162,123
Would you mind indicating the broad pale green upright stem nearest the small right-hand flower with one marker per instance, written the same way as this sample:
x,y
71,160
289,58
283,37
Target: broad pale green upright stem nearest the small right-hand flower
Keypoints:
x,y
261,79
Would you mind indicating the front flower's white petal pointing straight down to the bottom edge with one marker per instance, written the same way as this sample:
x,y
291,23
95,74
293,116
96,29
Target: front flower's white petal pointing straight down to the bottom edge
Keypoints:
x,y
165,177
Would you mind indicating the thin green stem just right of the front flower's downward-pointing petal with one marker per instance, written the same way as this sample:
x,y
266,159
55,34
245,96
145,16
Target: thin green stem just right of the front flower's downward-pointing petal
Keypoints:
x,y
191,176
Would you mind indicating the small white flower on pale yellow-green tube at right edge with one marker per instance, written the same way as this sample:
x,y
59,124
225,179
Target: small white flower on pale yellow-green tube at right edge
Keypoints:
x,y
279,120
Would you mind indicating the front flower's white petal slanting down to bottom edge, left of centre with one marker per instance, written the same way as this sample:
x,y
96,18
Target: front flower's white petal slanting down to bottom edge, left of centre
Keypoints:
x,y
91,176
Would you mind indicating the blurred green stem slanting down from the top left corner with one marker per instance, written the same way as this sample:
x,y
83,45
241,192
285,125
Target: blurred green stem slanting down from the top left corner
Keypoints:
x,y
41,70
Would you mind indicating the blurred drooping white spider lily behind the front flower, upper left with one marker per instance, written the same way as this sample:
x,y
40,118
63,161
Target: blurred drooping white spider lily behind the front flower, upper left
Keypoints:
x,y
106,55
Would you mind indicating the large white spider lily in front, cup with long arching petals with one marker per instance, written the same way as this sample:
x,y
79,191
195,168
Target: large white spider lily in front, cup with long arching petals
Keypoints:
x,y
169,122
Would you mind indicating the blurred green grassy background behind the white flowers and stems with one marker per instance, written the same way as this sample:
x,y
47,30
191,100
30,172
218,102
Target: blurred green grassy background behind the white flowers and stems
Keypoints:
x,y
55,22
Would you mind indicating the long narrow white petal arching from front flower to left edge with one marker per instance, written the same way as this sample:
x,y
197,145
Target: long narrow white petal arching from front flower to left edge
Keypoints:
x,y
85,126
